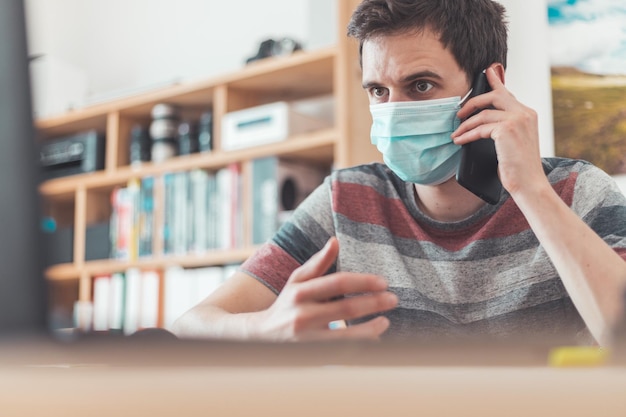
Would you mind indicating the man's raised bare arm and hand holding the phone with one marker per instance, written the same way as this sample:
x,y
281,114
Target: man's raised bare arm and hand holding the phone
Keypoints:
x,y
592,272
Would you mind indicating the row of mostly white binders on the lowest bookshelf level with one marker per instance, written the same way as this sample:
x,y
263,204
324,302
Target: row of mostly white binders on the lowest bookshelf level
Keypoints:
x,y
137,299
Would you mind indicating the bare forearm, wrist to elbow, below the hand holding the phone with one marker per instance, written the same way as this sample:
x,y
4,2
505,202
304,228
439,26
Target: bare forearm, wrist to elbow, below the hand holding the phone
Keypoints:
x,y
592,272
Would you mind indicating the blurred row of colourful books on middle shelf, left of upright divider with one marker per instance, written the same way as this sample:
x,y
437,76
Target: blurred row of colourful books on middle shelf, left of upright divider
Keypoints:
x,y
177,213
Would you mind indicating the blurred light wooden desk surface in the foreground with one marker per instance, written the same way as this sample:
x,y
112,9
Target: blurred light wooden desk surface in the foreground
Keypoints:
x,y
149,388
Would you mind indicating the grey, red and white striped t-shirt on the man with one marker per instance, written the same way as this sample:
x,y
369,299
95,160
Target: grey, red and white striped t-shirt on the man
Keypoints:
x,y
484,275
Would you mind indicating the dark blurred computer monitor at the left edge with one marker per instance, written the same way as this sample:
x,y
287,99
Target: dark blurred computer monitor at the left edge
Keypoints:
x,y
23,292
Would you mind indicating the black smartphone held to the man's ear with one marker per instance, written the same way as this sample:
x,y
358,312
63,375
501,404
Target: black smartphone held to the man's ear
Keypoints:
x,y
478,170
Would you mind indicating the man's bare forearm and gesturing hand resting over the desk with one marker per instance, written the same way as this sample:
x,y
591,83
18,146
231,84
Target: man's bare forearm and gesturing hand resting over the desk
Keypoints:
x,y
244,309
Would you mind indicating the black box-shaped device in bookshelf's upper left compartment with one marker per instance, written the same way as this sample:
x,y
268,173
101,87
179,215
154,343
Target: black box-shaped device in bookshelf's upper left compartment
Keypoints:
x,y
74,154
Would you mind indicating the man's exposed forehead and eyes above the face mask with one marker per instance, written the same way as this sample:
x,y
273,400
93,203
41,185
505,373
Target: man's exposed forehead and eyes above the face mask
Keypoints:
x,y
410,67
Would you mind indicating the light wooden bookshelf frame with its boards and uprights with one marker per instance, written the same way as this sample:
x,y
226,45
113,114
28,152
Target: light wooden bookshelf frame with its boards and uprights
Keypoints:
x,y
84,200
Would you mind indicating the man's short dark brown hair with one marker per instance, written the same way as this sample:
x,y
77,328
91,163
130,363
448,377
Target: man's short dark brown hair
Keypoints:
x,y
475,31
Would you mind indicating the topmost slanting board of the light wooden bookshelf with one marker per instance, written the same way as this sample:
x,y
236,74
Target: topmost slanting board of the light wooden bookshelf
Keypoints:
x,y
305,73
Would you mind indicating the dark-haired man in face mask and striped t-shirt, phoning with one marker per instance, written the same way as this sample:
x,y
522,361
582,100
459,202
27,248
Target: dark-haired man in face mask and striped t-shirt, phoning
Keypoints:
x,y
422,256
